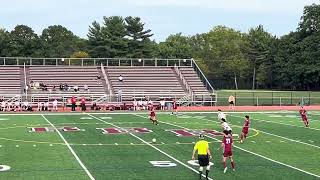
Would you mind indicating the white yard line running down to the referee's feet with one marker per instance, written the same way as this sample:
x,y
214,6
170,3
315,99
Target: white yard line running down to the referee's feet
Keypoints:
x,y
164,153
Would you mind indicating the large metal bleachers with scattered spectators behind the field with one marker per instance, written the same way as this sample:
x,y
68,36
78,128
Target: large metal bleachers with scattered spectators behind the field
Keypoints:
x,y
142,78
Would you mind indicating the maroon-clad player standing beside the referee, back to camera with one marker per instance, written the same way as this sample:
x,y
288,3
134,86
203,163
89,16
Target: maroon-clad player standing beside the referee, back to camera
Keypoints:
x,y
226,144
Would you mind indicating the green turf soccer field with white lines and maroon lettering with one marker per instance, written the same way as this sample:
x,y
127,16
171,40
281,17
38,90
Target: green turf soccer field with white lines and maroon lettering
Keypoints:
x,y
278,146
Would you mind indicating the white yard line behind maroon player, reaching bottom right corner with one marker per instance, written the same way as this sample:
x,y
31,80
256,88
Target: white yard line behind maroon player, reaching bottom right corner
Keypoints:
x,y
306,172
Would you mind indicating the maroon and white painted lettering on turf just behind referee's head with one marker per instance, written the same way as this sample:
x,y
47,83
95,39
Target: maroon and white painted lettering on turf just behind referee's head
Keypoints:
x,y
189,133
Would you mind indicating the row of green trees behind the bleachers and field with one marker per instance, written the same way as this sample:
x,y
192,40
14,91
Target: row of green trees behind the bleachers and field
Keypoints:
x,y
229,58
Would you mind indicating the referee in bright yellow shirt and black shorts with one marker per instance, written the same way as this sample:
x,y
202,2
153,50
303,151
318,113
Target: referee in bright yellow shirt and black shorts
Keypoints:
x,y
202,146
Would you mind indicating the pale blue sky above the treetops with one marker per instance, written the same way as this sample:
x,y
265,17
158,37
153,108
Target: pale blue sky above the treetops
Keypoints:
x,y
163,17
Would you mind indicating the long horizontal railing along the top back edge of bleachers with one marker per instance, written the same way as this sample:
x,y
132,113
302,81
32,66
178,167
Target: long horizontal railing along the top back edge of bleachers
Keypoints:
x,y
20,61
